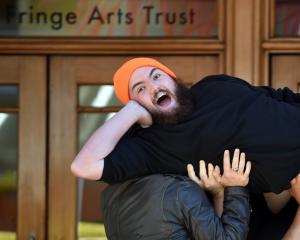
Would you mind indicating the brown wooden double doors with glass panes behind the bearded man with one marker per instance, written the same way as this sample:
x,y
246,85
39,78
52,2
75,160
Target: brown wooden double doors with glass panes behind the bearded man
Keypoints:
x,y
49,105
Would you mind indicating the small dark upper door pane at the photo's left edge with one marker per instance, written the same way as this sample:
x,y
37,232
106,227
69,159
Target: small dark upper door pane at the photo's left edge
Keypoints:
x,y
9,96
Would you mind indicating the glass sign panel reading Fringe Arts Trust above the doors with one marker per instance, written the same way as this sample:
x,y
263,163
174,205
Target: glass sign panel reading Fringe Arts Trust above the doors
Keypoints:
x,y
109,18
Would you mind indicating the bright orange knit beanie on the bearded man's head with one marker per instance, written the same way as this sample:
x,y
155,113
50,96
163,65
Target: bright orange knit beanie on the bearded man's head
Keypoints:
x,y
123,75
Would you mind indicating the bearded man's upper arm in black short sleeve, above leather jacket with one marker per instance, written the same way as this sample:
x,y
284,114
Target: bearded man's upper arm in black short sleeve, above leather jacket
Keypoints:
x,y
135,157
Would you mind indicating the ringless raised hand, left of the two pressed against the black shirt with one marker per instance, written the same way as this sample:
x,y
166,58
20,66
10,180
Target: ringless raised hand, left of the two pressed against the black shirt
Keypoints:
x,y
207,181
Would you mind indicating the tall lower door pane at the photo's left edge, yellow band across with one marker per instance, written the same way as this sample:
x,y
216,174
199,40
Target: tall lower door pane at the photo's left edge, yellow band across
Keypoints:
x,y
8,171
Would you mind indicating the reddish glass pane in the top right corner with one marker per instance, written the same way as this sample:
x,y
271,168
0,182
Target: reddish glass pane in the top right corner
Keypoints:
x,y
287,18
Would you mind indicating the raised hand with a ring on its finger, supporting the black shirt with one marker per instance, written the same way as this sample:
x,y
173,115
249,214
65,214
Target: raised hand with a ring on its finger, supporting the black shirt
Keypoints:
x,y
235,174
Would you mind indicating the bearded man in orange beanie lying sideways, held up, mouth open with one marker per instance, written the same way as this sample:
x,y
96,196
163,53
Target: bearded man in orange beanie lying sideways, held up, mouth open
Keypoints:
x,y
185,125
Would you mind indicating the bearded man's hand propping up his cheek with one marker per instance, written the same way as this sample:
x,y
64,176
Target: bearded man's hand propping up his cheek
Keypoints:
x,y
143,116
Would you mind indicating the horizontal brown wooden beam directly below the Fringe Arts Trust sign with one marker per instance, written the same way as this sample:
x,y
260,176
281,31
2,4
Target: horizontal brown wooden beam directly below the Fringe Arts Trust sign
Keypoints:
x,y
107,47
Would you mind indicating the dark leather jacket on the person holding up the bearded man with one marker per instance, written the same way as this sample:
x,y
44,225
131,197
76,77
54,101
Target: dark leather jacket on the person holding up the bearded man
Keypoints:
x,y
172,207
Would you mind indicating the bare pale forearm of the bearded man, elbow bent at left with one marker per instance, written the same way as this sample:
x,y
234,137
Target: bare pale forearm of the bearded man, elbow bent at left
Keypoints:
x,y
89,161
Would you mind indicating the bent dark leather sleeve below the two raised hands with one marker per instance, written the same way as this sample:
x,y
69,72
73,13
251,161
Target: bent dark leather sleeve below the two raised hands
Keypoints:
x,y
203,223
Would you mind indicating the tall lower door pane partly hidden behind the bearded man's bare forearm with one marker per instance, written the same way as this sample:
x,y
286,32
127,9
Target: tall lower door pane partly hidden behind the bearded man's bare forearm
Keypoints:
x,y
89,192
